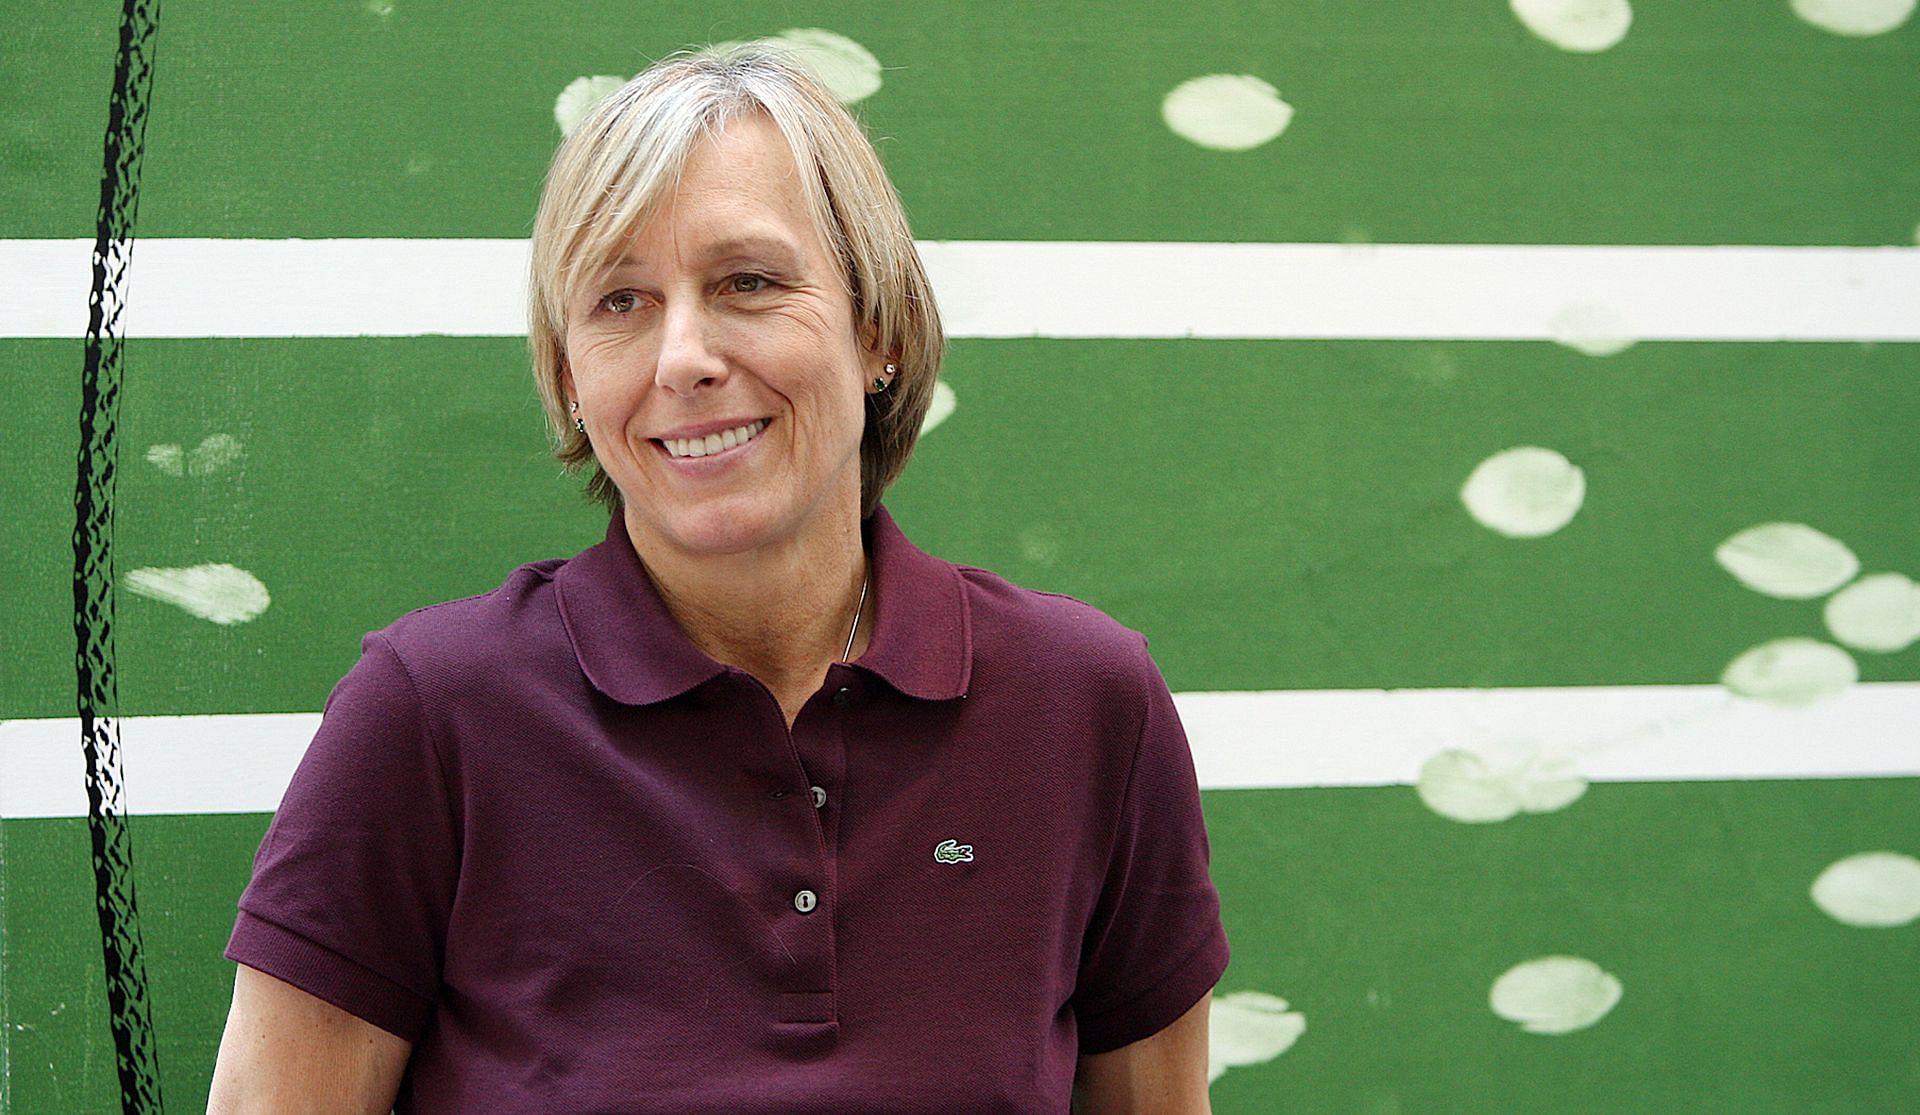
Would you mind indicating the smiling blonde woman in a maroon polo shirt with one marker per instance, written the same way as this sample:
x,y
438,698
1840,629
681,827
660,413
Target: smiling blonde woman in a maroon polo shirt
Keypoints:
x,y
754,807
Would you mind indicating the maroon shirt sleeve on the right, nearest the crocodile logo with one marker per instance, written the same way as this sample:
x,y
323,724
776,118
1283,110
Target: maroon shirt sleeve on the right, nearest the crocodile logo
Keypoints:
x,y
1155,943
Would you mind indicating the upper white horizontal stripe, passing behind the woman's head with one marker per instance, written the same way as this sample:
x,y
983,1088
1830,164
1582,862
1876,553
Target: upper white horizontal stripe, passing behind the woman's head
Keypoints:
x,y
999,289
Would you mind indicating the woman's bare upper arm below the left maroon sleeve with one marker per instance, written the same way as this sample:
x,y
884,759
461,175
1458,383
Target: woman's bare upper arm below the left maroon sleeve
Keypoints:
x,y
287,1051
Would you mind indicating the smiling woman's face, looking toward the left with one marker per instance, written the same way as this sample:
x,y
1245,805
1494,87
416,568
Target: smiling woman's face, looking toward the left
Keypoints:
x,y
717,364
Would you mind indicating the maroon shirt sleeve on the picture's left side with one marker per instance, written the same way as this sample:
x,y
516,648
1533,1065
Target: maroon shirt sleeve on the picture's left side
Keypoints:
x,y
354,882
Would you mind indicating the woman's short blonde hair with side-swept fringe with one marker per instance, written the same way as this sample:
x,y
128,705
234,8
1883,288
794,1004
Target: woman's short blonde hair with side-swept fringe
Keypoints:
x,y
623,160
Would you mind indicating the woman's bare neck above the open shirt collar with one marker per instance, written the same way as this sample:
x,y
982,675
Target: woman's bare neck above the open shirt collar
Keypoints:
x,y
780,613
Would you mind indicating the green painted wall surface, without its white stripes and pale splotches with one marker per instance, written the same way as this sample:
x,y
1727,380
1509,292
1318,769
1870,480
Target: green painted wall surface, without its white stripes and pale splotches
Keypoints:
x,y
1274,515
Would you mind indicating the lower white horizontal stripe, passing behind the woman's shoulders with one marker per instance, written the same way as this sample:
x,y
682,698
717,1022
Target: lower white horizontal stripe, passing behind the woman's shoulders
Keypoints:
x,y
1341,738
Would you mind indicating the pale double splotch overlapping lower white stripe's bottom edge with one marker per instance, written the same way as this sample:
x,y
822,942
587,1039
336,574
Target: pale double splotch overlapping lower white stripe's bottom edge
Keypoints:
x,y
1499,780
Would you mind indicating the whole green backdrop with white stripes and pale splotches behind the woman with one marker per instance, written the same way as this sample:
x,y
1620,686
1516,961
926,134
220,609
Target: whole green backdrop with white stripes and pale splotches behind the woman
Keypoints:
x,y
1500,419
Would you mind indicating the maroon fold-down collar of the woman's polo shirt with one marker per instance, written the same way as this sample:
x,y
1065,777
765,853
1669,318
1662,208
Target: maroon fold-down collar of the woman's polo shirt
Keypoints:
x,y
631,648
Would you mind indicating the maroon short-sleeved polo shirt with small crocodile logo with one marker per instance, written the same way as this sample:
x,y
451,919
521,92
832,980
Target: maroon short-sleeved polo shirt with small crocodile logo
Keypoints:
x,y
587,868
